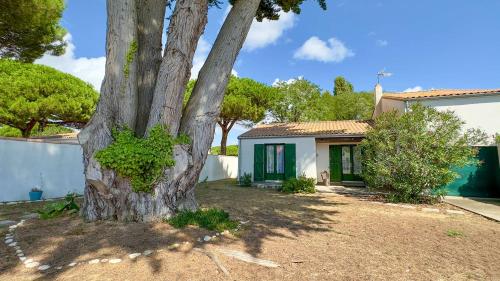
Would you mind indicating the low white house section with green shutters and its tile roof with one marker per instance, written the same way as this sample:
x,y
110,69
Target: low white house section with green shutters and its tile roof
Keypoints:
x,y
287,150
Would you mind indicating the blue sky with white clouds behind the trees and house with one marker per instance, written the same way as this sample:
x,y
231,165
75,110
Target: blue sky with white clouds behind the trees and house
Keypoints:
x,y
425,44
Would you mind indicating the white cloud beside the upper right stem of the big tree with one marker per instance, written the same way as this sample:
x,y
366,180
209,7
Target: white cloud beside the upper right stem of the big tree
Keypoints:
x,y
268,32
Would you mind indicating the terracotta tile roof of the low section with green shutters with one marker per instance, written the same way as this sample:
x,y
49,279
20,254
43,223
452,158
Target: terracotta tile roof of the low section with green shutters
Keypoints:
x,y
317,129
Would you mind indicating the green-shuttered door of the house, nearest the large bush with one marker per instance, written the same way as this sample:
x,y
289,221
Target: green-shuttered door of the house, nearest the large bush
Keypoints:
x,y
345,163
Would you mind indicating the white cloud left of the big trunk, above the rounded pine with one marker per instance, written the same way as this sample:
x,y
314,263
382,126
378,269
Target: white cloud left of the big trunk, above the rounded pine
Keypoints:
x,y
90,70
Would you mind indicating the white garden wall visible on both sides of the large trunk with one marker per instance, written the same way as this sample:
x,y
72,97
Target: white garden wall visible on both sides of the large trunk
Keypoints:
x,y
61,167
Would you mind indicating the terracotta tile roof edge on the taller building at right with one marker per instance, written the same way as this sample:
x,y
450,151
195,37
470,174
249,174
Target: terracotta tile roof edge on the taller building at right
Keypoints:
x,y
439,93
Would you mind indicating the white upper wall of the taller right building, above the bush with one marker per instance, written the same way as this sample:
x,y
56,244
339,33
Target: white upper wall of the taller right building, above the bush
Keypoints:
x,y
481,112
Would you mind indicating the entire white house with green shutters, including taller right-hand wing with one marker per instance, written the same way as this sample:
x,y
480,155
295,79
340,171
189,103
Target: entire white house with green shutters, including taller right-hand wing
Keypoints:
x,y
285,150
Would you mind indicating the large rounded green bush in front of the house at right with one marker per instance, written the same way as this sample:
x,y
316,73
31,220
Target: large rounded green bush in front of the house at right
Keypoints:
x,y
411,155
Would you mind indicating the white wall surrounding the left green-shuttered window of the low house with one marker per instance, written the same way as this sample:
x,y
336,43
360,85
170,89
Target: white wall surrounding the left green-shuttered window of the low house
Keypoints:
x,y
305,152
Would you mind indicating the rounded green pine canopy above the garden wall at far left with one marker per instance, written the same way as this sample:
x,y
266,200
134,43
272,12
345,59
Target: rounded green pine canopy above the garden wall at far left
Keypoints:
x,y
30,93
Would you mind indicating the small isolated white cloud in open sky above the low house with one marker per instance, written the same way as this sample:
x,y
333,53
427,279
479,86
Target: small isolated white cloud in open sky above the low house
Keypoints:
x,y
316,49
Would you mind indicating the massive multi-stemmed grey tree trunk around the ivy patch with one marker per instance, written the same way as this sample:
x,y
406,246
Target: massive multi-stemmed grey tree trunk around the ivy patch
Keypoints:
x,y
126,97
